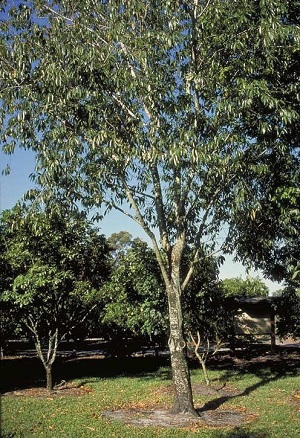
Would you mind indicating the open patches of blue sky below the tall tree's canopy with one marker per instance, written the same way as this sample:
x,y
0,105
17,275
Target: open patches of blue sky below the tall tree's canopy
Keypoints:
x,y
13,186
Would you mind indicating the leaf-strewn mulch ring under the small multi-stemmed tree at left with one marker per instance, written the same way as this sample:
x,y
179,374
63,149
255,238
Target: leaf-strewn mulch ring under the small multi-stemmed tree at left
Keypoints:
x,y
64,389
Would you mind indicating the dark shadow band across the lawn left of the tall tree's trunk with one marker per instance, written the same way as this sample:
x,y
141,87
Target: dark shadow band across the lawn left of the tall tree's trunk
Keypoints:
x,y
24,372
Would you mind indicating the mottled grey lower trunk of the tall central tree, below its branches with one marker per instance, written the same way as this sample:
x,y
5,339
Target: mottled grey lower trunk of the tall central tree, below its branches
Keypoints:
x,y
183,401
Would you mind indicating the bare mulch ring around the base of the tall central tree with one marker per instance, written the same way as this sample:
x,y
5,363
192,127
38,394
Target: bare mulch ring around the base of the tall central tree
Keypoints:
x,y
164,418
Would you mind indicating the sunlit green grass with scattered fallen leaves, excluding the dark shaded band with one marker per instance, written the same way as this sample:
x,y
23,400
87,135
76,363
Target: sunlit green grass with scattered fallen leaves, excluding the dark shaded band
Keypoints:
x,y
267,394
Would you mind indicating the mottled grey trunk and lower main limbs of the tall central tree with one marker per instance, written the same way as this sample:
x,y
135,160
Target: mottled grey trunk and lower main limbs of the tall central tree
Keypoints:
x,y
170,266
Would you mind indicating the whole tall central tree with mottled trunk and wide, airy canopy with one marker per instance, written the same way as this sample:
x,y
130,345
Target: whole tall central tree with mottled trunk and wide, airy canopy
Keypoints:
x,y
166,111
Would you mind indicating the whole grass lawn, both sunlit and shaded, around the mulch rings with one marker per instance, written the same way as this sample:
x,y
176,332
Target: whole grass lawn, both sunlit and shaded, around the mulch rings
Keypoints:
x,y
267,391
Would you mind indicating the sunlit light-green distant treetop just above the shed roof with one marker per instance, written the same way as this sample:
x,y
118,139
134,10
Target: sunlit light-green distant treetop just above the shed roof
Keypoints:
x,y
249,288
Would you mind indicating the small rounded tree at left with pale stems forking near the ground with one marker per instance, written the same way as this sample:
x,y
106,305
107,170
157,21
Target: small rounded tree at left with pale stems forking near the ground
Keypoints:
x,y
56,262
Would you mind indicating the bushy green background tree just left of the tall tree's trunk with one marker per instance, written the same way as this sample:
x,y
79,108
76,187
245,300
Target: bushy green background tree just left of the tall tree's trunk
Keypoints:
x,y
133,301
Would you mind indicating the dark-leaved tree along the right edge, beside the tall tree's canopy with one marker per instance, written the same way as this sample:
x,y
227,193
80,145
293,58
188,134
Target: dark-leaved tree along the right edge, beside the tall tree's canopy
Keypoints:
x,y
267,220
